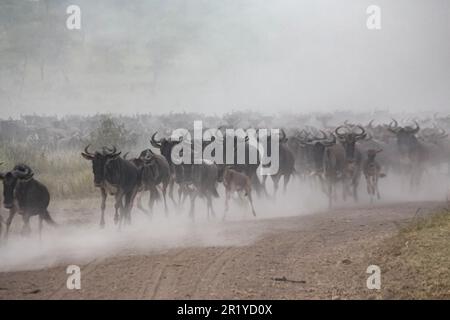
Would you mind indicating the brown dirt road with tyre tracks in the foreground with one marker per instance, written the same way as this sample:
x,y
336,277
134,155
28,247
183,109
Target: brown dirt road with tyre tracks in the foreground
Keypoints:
x,y
322,255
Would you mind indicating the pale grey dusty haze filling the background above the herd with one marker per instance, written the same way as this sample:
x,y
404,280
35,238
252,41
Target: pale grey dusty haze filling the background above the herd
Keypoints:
x,y
216,56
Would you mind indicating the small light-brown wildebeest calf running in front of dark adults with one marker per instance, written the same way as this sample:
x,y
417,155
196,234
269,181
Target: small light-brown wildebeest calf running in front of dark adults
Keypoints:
x,y
235,181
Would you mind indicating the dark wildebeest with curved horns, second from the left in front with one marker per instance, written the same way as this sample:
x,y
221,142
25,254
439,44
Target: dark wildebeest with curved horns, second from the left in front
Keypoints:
x,y
116,176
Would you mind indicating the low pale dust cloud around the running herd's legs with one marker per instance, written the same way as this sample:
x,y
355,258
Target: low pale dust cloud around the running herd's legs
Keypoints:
x,y
79,240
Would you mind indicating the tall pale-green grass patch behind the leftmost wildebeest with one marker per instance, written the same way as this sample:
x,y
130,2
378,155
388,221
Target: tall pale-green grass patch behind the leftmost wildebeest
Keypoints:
x,y
65,173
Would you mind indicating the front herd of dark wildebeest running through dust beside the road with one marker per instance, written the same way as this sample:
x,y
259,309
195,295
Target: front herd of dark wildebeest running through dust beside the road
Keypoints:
x,y
331,159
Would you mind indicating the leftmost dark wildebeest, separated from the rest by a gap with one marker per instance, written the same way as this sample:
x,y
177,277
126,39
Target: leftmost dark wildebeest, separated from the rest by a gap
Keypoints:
x,y
26,196
